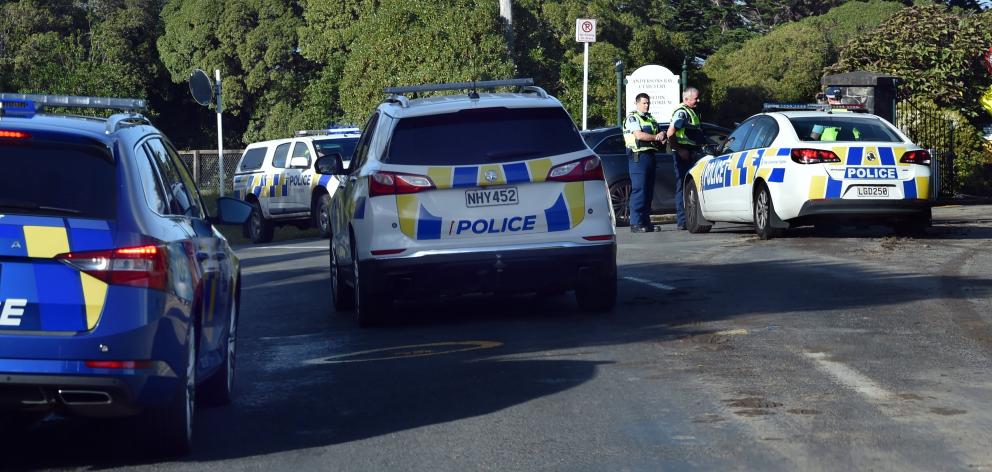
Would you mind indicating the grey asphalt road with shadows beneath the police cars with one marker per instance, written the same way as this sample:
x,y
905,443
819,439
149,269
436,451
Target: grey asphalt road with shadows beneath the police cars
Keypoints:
x,y
850,350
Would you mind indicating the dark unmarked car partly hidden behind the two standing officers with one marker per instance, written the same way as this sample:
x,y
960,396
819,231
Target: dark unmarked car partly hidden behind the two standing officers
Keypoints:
x,y
608,144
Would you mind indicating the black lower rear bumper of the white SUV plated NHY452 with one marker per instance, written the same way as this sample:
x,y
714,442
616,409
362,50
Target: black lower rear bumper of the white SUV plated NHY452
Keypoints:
x,y
510,270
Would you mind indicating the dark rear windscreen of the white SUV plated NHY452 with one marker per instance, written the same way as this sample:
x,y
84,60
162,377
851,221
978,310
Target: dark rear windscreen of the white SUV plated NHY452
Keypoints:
x,y
483,136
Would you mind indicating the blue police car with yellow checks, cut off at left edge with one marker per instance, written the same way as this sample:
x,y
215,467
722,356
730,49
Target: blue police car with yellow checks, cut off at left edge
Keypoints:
x,y
118,295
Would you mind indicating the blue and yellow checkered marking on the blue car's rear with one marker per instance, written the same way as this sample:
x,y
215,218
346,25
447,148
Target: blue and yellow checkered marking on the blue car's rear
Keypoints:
x,y
60,298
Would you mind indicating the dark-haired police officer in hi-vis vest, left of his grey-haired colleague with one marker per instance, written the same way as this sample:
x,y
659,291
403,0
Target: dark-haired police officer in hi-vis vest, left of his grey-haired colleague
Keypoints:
x,y
643,138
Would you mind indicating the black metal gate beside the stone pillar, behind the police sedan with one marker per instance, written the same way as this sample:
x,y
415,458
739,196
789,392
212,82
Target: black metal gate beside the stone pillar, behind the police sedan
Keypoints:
x,y
929,127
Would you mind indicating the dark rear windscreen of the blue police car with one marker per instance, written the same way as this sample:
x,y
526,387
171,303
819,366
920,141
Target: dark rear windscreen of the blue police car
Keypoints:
x,y
57,180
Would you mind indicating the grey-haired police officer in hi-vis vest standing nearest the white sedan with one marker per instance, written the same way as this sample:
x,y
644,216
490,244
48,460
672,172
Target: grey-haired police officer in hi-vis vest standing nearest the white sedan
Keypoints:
x,y
686,138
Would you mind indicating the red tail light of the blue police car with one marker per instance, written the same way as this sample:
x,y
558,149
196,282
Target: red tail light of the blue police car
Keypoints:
x,y
142,266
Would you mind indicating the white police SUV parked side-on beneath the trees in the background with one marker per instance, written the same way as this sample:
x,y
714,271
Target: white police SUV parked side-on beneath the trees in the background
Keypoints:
x,y
277,178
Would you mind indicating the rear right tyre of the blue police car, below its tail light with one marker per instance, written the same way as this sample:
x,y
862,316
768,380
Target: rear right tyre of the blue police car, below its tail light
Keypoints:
x,y
170,428
